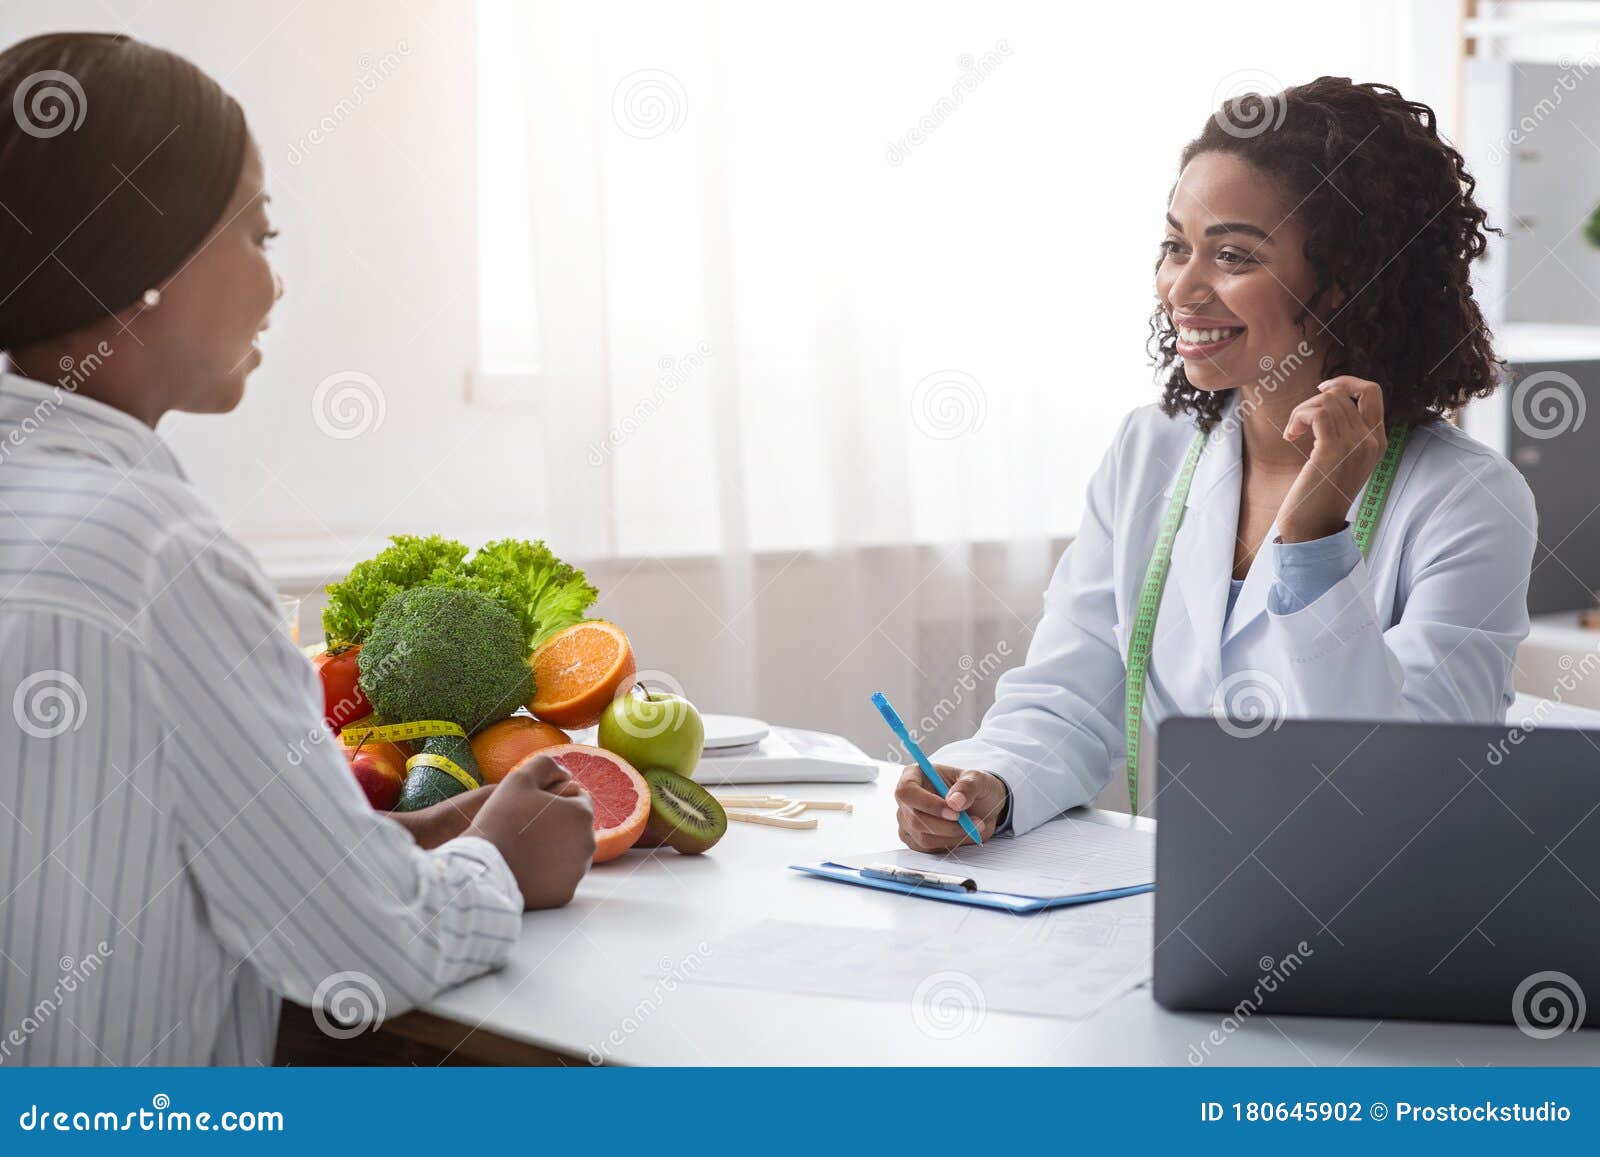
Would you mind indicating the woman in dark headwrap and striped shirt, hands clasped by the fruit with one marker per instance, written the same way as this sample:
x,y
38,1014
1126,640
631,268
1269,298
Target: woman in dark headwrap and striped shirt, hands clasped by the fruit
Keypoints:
x,y
180,844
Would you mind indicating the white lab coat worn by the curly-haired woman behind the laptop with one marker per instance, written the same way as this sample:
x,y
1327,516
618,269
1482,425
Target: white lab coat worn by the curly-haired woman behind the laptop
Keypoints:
x,y
1426,628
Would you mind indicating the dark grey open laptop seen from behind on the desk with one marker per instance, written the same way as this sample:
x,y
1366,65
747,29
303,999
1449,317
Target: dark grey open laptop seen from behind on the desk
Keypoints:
x,y
1369,870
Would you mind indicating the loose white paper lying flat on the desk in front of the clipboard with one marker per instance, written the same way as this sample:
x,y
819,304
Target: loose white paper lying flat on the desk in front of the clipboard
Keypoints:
x,y
1070,963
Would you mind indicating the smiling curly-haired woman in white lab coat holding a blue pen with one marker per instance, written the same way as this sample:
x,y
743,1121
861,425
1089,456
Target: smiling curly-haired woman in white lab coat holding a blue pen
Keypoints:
x,y
1318,326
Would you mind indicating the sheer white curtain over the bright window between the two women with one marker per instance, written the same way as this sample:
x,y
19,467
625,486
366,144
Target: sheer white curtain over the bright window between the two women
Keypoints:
x,y
858,284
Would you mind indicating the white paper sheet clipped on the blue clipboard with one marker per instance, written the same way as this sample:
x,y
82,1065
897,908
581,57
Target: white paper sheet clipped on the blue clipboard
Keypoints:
x,y
1062,859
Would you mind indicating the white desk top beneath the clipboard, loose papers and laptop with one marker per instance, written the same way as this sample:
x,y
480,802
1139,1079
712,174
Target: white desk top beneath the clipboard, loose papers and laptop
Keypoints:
x,y
588,971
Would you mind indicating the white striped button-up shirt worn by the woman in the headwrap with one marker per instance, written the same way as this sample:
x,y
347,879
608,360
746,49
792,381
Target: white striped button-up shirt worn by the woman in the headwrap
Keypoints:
x,y
182,841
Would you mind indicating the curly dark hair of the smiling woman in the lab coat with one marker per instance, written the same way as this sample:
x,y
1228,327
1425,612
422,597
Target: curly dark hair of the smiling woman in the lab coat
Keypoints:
x,y
1391,225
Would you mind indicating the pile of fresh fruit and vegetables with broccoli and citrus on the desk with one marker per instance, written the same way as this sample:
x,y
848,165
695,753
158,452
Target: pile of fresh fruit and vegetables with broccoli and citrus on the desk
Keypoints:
x,y
444,673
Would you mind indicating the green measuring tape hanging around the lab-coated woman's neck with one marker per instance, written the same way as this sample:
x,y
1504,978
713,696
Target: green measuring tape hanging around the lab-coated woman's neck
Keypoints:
x,y
1162,559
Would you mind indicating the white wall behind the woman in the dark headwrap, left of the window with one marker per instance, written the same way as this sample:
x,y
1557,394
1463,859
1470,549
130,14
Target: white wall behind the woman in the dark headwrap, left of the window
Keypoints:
x,y
378,254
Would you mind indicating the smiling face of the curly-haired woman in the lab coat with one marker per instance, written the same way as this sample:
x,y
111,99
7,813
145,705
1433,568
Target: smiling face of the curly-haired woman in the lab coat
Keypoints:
x,y
1234,274
